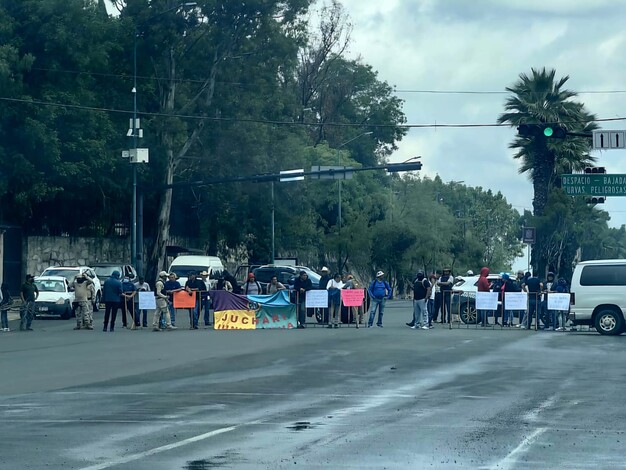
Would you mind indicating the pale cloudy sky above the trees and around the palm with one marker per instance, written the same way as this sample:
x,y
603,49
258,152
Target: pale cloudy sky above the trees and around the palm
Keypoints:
x,y
482,46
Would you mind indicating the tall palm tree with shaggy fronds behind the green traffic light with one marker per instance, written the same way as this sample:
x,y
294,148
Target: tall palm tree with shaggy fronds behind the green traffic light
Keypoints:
x,y
541,99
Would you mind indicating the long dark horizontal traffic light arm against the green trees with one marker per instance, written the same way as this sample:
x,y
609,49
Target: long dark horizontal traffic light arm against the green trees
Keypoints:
x,y
390,167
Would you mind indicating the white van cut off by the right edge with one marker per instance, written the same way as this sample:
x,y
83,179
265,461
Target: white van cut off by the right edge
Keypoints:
x,y
599,295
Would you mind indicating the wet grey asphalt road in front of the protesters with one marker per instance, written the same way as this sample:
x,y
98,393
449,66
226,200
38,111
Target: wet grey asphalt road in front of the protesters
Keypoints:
x,y
375,398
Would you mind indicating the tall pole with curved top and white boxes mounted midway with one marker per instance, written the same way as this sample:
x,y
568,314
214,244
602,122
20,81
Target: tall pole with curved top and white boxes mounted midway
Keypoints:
x,y
135,131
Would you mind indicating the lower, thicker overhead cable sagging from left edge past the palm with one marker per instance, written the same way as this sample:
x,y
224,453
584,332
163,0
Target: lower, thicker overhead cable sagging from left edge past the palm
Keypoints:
x,y
278,123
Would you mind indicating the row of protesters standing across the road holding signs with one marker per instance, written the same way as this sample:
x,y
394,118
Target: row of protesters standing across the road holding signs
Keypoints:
x,y
432,299
